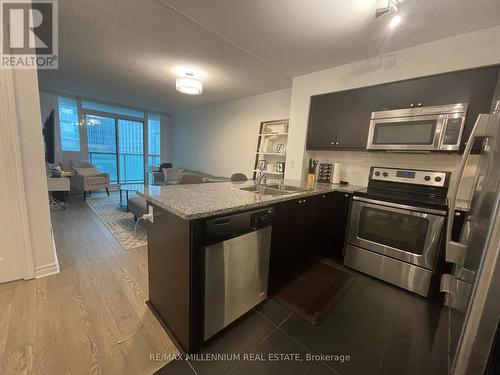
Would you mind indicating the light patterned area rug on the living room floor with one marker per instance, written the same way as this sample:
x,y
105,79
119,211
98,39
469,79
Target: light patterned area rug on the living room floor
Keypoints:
x,y
119,222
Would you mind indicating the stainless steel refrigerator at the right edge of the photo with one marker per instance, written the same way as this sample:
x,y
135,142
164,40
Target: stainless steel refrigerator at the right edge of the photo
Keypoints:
x,y
468,329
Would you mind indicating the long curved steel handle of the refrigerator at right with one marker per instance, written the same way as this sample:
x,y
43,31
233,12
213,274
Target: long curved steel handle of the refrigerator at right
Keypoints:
x,y
455,251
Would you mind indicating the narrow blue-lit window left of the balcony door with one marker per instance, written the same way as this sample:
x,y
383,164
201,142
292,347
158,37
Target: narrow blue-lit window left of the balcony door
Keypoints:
x,y
68,124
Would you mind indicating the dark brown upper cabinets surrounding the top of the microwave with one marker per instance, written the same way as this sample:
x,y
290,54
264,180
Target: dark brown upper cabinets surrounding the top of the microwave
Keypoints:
x,y
341,120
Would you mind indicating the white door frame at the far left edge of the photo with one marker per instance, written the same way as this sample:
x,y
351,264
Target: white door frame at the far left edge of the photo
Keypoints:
x,y
10,141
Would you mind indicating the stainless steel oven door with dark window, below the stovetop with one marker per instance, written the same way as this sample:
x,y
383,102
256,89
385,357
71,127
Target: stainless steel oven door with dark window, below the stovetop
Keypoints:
x,y
401,232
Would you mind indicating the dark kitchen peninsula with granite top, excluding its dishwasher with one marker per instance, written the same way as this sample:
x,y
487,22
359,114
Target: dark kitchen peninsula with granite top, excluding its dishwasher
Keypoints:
x,y
306,221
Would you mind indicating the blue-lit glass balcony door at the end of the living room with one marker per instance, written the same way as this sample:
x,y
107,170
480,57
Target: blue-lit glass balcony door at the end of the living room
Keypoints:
x,y
116,147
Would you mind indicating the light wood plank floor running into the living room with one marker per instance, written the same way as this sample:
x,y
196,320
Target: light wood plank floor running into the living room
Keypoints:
x,y
72,322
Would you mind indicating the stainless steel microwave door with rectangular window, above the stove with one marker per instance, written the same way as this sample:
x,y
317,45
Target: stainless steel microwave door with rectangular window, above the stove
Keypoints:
x,y
418,133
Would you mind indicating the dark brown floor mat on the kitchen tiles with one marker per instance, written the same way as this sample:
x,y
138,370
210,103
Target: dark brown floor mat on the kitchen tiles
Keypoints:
x,y
314,292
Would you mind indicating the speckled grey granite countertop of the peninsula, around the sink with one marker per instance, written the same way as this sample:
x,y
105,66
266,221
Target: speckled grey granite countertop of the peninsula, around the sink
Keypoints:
x,y
210,199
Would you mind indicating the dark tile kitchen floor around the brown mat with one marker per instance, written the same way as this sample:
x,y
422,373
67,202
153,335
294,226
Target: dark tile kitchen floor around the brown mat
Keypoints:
x,y
385,330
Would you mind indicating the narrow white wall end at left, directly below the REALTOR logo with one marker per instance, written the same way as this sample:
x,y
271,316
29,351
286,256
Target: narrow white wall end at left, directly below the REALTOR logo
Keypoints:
x,y
26,99
